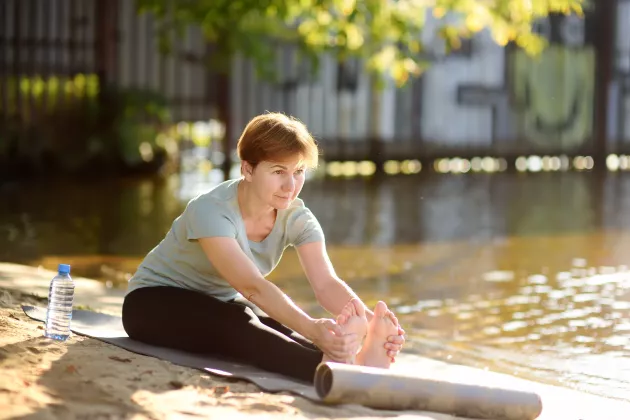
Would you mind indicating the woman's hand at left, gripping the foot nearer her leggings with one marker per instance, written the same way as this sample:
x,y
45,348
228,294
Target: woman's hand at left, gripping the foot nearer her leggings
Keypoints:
x,y
327,335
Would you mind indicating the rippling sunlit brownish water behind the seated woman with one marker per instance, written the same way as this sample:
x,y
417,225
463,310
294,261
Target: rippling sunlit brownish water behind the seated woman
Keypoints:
x,y
519,273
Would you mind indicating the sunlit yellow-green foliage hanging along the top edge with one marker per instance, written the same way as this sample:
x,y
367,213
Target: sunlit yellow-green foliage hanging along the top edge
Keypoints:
x,y
386,34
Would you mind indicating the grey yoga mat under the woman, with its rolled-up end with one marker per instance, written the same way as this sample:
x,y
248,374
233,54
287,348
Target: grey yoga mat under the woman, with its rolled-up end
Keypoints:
x,y
334,383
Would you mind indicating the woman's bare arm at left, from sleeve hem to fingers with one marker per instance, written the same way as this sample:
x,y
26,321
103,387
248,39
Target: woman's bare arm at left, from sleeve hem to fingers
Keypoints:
x,y
240,272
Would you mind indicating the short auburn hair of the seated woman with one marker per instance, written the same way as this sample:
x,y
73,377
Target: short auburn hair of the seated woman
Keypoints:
x,y
276,137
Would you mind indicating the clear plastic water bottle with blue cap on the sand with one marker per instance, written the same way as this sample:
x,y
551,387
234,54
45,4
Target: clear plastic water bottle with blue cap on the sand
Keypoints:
x,y
60,299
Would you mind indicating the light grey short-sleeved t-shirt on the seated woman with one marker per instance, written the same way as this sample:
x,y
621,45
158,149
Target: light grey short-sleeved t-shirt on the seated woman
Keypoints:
x,y
178,260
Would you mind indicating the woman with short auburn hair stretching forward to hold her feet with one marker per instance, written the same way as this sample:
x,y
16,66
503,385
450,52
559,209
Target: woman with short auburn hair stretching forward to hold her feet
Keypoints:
x,y
203,288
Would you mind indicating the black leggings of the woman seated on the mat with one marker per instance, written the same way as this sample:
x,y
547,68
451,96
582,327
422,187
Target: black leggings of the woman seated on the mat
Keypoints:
x,y
192,321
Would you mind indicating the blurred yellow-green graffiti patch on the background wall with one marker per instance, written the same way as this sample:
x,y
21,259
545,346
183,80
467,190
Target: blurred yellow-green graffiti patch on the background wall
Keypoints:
x,y
552,95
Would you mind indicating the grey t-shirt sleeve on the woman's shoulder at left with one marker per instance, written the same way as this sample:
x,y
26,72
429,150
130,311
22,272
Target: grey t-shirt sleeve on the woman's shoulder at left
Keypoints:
x,y
207,218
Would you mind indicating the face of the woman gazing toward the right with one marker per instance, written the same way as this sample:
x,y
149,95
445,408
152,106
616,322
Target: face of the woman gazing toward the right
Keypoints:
x,y
276,184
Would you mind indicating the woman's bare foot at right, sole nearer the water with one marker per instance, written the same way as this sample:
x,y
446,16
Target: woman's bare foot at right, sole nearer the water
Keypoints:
x,y
382,325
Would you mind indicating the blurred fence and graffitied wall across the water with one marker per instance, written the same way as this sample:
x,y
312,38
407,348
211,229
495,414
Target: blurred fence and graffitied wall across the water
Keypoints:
x,y
480,100
